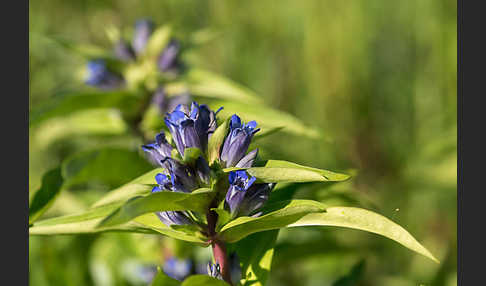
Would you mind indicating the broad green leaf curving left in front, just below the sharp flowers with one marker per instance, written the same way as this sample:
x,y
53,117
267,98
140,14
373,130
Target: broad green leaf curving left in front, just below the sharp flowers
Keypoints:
x,y
160,201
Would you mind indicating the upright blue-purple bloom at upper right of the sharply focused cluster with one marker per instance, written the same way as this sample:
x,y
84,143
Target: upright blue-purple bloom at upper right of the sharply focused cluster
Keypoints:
x,y
237,142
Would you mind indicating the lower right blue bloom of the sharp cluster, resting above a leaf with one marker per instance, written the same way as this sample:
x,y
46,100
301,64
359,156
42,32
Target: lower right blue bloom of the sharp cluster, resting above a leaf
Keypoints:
x,y
244,196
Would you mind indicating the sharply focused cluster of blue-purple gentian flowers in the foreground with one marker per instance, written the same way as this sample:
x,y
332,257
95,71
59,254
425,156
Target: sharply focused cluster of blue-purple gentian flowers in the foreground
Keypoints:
x,y
192,128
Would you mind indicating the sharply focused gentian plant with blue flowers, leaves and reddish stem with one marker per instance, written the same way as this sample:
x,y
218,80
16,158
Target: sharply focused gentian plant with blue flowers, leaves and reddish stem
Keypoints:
x,y
210,189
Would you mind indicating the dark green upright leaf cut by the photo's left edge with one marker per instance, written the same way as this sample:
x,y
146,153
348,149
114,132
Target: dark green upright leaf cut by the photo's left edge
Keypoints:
x,y
43,198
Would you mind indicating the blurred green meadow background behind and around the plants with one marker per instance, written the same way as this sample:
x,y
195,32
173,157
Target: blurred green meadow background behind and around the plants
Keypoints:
x,y
377,77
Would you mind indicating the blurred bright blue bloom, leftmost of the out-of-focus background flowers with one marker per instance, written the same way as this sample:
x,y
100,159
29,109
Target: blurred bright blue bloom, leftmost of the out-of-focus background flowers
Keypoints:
x,y
100,77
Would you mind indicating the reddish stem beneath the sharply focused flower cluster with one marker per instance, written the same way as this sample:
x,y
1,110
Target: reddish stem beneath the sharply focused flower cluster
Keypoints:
x,y
219,248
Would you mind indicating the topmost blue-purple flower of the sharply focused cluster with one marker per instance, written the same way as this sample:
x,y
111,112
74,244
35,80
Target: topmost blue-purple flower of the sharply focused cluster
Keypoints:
x,y
191,129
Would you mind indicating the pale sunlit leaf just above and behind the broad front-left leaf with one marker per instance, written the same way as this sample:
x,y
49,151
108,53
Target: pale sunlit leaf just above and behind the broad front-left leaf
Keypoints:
x,y
139,186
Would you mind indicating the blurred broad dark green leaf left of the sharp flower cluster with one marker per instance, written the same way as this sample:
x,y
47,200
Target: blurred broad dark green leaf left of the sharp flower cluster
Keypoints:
x,y
109,166
